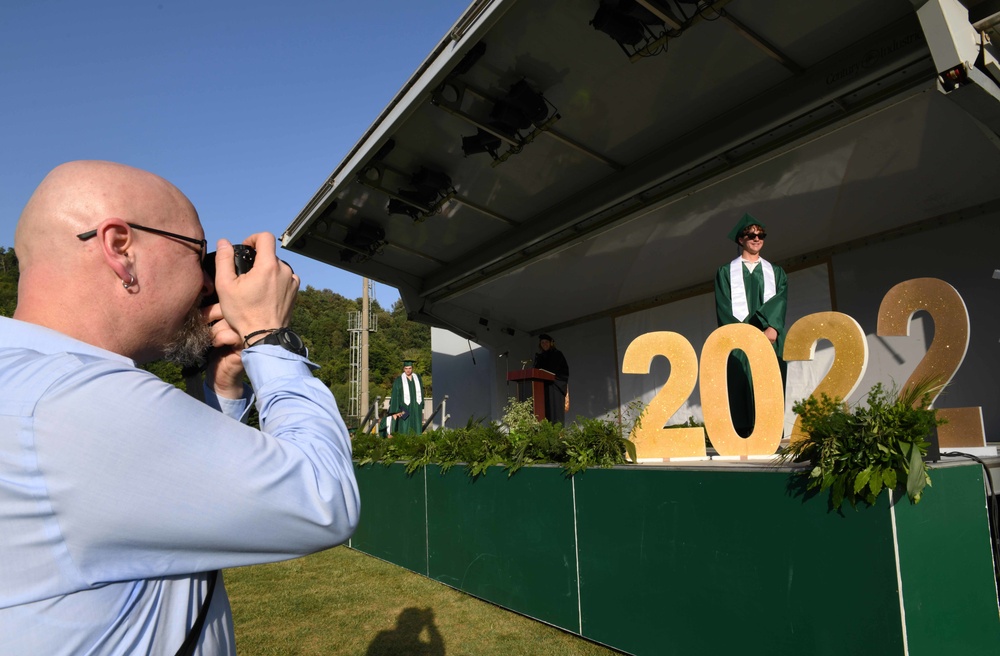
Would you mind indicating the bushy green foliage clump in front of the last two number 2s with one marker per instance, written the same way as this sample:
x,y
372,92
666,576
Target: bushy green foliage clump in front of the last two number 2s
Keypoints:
x,y
856,454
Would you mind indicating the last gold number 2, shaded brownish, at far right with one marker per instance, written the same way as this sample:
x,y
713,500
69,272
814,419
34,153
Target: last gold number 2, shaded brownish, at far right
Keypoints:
x,y
946,352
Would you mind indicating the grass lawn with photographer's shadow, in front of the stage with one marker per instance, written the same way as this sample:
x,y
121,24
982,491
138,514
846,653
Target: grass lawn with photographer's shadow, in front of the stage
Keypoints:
x,y
342,602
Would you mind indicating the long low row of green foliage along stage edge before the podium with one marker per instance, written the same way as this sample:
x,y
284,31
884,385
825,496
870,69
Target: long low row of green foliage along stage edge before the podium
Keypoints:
x,y
517,440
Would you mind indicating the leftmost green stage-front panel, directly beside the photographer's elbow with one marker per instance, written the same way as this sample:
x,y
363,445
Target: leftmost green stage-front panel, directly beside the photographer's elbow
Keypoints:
x,y
392,525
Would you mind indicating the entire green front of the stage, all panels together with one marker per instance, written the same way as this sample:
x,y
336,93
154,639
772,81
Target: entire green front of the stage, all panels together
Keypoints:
x,y
701,558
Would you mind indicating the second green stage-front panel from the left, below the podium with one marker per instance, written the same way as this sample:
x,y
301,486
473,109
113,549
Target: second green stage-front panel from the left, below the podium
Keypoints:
x,y
507,540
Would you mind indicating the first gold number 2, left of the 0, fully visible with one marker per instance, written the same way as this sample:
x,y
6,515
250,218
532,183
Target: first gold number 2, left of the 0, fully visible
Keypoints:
x,y
651,439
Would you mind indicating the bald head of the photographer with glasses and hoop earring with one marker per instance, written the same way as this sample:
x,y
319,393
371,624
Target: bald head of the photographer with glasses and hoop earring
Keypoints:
x,y
119,276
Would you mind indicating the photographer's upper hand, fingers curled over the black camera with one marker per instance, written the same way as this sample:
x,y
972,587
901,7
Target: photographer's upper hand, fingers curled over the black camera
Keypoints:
x,y
262,298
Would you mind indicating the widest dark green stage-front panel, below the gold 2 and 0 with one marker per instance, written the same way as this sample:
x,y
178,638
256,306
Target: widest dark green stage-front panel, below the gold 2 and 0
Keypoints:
x,y
718,562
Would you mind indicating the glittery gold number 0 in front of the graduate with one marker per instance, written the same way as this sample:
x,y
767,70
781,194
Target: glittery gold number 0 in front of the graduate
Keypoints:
x,y
769,397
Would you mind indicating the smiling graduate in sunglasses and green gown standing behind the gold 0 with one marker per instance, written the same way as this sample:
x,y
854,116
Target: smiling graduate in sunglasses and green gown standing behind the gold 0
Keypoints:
x,y
750,290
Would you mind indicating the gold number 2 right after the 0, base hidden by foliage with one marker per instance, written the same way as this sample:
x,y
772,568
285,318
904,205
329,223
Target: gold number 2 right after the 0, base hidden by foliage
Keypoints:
x,y
850,354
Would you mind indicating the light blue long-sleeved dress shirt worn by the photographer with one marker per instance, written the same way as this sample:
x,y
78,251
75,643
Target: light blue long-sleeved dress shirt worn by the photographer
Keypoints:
x,y
118,491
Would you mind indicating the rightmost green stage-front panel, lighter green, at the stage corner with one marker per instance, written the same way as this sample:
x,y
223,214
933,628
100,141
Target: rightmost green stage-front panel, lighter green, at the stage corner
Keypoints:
x,y
949,590
